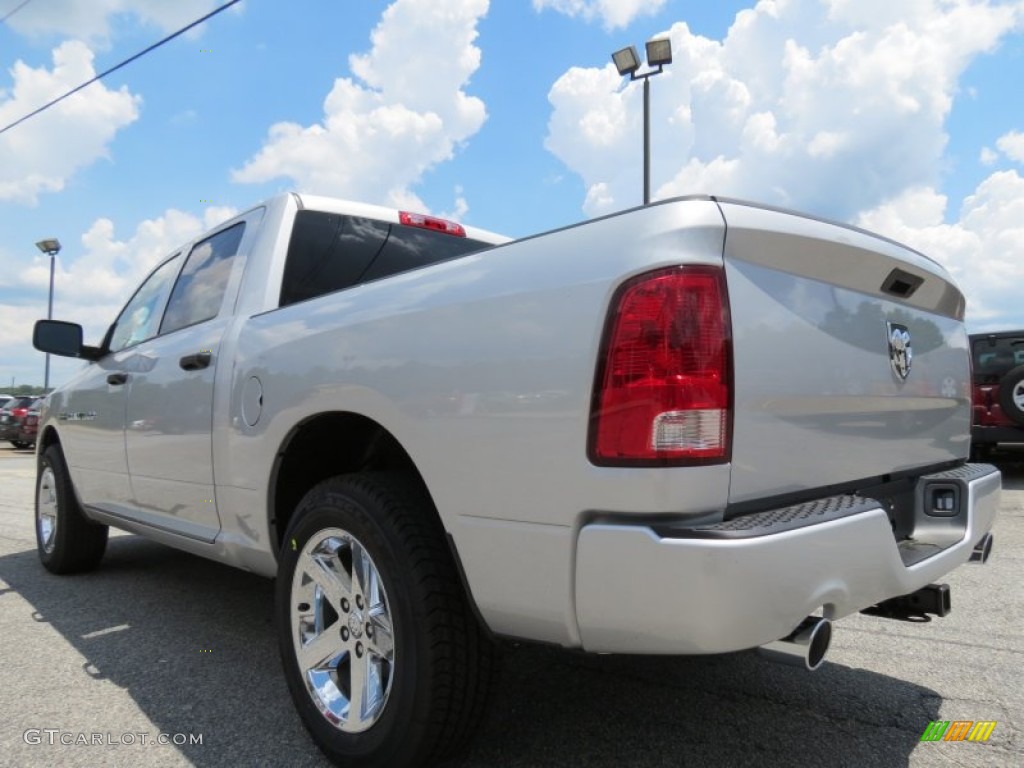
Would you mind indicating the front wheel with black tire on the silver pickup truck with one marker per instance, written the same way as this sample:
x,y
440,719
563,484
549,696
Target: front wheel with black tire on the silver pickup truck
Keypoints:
x,y
68,542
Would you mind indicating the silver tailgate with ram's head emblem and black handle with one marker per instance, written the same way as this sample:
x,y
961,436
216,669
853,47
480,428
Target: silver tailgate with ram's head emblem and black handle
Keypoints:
x,y
850,356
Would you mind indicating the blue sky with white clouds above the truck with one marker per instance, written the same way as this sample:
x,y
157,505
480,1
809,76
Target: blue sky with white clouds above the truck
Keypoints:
x,y
905,117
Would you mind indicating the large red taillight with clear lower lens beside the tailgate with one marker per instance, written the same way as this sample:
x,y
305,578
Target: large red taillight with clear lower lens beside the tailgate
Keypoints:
x,y
664,387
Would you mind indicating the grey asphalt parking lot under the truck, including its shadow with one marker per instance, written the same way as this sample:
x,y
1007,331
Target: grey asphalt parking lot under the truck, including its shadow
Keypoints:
x,y
162,643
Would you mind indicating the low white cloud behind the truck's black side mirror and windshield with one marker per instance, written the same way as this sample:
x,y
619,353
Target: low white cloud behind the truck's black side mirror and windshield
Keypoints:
x,y
93,282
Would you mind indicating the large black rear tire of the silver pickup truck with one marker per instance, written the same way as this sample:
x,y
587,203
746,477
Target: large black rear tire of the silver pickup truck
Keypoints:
x,y
442,664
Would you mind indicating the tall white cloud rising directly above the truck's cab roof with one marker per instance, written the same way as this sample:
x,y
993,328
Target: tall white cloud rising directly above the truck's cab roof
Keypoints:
x,y
405,112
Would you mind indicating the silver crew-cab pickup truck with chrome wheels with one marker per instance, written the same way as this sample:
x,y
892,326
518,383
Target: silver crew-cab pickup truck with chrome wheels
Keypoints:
x,y
695,428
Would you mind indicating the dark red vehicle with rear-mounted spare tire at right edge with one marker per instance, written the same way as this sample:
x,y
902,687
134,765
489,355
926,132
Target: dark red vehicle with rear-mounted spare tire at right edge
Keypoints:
x,y
999,390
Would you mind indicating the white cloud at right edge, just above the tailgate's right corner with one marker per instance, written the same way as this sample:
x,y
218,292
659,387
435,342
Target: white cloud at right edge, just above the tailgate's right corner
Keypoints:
x,y
984,249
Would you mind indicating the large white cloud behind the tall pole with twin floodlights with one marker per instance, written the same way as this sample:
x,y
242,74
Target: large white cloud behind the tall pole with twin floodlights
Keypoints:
x,y
827,106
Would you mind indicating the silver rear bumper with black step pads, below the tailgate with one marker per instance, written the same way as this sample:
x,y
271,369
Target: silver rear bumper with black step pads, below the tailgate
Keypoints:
x,y
751,581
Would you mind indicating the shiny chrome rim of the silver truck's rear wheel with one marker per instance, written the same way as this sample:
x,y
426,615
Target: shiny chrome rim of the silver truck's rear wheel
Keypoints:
x,y
342,630
